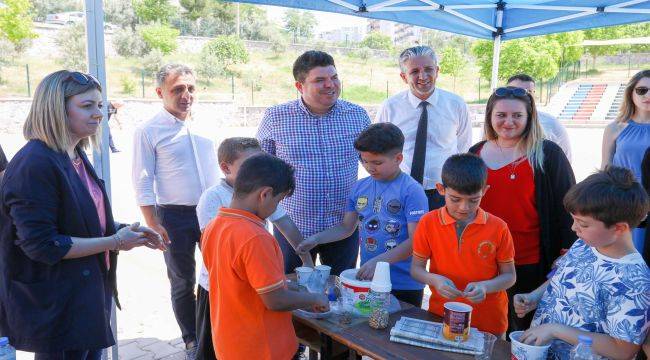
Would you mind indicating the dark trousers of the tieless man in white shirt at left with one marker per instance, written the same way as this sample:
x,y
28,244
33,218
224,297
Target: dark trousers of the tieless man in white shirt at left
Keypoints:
x,y
183,229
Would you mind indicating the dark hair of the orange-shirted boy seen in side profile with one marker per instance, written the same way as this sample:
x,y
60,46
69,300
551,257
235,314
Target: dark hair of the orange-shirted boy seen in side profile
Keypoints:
x,y
262,170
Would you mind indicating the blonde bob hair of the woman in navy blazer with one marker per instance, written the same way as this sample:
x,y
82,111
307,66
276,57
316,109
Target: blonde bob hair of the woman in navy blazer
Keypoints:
x,y
48,120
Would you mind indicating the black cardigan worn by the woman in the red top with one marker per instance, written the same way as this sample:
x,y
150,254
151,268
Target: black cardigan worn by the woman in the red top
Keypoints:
x,y
551,185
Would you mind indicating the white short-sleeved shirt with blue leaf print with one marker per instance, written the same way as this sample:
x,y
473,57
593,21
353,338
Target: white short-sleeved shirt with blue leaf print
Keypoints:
x,y
596,293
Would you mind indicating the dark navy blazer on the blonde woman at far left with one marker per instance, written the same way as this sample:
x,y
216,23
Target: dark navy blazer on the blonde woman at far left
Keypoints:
x,y
47,303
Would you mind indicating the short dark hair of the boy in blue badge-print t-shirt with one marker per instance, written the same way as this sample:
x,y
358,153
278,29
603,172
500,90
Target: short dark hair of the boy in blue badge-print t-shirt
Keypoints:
x,y
382,138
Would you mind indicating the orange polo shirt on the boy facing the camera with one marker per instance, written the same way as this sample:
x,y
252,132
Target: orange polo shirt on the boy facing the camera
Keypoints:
x,y
484,244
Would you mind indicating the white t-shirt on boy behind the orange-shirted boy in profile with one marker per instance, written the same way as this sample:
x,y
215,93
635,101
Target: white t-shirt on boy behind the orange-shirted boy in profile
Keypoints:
x,y
211,201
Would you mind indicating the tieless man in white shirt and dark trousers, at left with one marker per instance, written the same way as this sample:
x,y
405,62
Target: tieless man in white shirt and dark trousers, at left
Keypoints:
x,y
172,166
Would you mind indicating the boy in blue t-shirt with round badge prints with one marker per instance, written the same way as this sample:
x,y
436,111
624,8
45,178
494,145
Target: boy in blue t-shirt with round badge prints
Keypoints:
x,y
387,206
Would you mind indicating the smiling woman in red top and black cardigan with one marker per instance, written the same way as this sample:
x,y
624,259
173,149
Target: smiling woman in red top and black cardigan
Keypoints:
x,y
528,178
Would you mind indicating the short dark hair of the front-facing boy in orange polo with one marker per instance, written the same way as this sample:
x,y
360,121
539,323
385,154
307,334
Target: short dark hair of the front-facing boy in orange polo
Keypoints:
x,y
465,173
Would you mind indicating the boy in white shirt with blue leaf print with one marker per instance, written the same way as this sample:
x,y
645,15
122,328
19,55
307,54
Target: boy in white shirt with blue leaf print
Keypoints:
x,y
602,285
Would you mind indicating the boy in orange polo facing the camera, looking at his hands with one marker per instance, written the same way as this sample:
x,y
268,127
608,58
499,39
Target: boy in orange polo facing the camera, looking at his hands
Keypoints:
x,y
470,251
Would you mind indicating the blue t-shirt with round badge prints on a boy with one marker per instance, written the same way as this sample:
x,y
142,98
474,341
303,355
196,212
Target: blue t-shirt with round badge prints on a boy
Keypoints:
x,y
385,208
